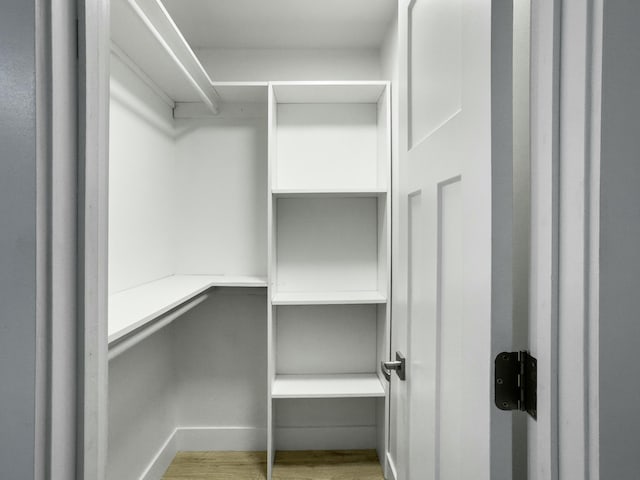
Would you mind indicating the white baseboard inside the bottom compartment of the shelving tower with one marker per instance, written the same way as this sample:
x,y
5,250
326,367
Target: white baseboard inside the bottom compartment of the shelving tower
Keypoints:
x,y
326,438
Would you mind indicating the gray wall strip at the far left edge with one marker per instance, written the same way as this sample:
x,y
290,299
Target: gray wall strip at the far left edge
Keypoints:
x,y
18,235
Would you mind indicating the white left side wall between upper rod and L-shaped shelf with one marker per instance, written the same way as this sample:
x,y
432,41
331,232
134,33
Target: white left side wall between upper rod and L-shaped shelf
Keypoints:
x,y
142,192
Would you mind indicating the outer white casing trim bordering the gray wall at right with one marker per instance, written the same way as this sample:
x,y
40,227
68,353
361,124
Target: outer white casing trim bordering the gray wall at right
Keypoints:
x,y
580,99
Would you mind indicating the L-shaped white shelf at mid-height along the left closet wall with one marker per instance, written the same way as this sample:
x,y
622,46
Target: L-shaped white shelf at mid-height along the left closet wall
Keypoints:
x,y
131,309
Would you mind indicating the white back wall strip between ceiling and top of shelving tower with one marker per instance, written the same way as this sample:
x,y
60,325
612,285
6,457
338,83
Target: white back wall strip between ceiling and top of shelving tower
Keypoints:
x,y
243,64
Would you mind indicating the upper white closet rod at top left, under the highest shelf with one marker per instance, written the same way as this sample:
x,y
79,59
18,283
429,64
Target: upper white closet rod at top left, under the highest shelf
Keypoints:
x,y
209,97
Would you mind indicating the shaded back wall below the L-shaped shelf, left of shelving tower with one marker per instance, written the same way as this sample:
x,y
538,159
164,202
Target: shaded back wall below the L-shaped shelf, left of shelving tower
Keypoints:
x,y
220,350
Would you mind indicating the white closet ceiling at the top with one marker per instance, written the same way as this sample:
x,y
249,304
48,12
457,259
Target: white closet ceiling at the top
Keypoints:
x,y
283,23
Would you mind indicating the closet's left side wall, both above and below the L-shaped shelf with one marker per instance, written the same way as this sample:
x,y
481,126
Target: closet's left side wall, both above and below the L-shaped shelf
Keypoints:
x,y
142,170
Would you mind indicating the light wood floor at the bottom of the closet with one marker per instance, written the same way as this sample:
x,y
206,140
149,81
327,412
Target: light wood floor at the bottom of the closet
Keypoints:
x,y
290,465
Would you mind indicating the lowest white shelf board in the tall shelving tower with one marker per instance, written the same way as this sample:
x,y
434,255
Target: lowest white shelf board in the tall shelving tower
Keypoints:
x,y
327,386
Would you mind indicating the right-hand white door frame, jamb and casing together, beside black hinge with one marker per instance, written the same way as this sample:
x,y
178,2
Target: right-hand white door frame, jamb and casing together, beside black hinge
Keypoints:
x,y
566,72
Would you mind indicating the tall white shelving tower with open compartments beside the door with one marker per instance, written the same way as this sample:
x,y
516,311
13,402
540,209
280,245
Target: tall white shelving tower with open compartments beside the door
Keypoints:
x,y
329,235
